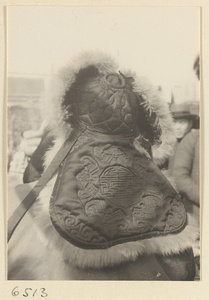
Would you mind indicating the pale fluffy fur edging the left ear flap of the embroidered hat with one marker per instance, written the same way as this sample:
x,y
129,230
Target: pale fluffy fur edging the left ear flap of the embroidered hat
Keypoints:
x,y
63,81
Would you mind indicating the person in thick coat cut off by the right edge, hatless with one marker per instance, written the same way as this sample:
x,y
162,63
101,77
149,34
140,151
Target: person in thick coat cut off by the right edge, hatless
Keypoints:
x,y
185,169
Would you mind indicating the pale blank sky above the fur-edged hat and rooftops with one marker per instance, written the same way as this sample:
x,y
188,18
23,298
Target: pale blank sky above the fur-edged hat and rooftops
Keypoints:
x,y
161,43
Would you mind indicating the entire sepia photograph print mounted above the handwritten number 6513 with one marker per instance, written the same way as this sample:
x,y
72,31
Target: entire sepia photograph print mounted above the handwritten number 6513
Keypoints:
x,y
103,107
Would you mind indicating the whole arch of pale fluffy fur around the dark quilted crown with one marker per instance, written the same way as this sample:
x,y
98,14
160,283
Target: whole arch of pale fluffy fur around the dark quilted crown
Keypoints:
x,y
153,102
